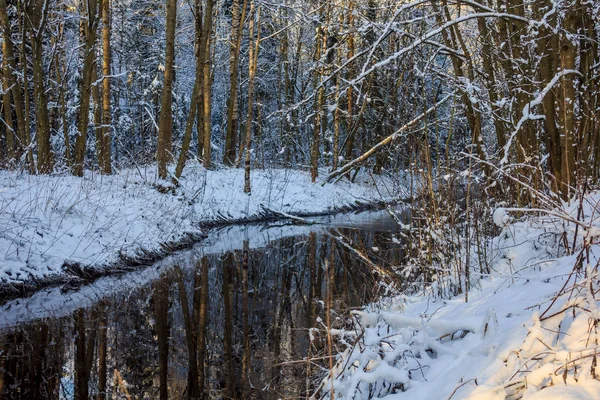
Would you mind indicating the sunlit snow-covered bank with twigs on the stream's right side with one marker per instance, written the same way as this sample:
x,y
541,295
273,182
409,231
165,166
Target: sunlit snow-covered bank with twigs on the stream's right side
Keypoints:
x,y
529,329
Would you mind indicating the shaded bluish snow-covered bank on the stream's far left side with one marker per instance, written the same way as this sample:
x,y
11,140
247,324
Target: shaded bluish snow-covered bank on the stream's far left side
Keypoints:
x,y
94,220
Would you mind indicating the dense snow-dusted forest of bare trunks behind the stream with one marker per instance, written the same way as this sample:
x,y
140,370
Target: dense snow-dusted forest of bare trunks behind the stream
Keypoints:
x,y
510,88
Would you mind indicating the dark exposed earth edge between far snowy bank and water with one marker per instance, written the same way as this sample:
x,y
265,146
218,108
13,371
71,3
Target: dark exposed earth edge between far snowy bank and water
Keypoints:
x,y
77,274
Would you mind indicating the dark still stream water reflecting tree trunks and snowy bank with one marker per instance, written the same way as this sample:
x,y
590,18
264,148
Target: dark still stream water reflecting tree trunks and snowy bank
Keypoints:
x,y
232,318
